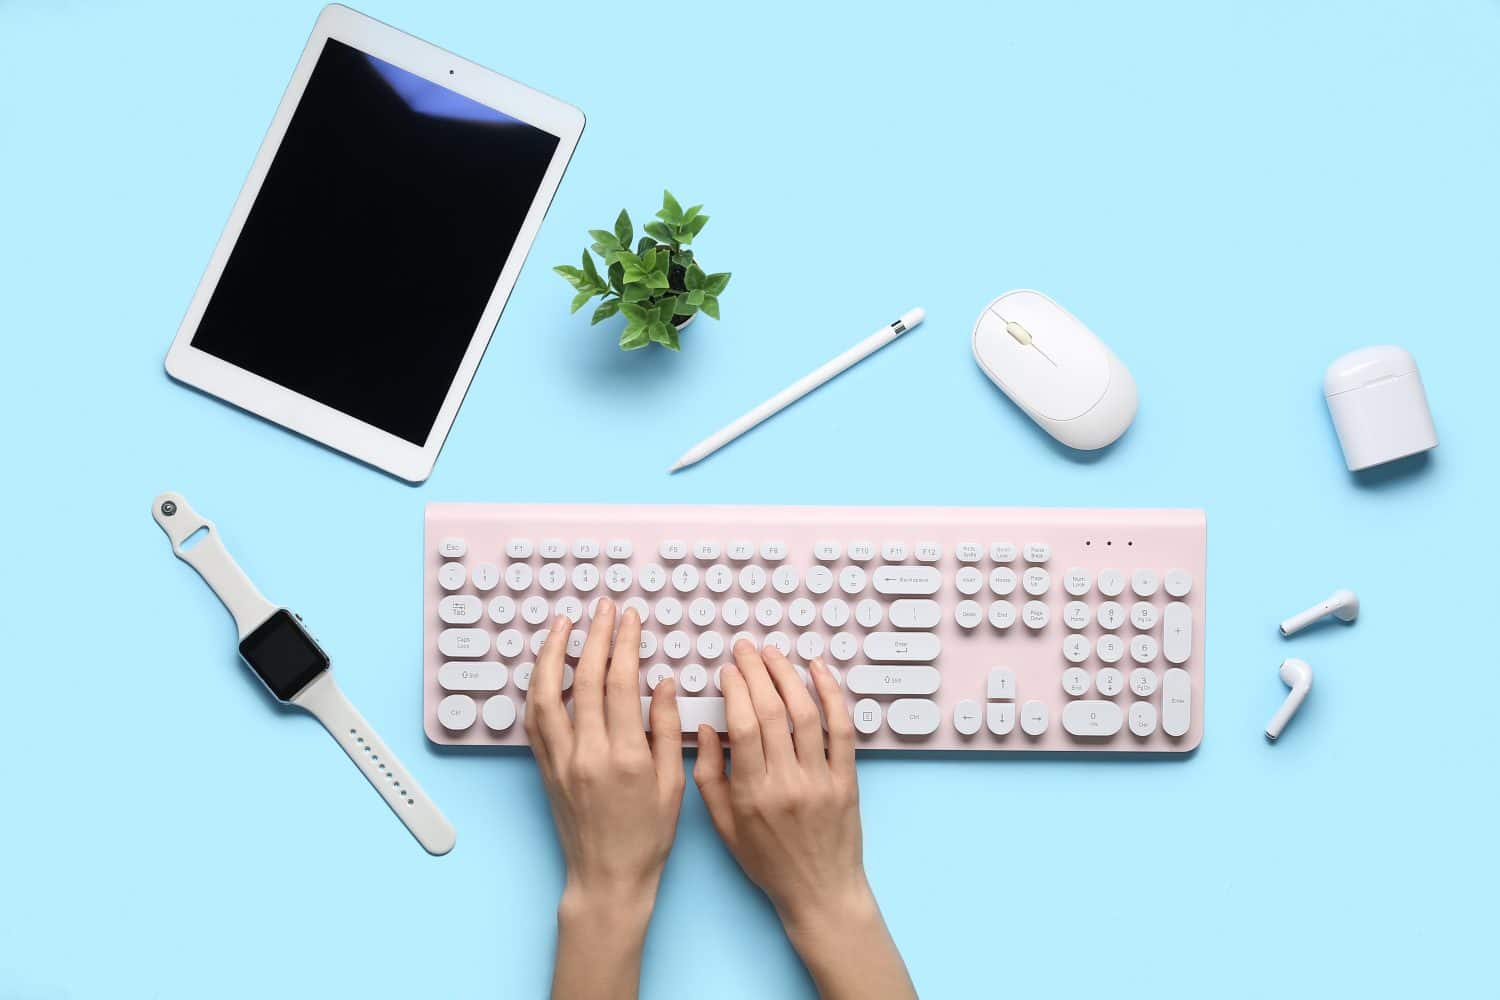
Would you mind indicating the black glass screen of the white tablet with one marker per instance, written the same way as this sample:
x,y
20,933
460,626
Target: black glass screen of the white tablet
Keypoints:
x,y
376,242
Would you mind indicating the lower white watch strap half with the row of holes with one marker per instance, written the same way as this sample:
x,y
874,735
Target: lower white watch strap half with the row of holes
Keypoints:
x,y
370,753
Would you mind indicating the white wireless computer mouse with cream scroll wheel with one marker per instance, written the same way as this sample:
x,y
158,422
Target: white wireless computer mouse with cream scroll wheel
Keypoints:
x,y
1055,370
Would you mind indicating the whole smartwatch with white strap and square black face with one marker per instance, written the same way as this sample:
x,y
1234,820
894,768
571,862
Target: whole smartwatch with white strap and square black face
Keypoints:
x,y
296,671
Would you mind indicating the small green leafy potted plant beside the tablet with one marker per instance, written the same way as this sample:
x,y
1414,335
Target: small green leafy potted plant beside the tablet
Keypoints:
x,y
659,287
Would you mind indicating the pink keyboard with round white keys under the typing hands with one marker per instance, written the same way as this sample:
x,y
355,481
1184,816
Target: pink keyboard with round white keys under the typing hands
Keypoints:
x,y
949,629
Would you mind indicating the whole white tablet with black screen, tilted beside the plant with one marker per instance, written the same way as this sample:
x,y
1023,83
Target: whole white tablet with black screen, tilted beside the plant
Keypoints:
x,y
376,242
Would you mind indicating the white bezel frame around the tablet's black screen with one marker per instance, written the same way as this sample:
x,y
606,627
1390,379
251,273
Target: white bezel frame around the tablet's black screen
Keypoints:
x,y
299,413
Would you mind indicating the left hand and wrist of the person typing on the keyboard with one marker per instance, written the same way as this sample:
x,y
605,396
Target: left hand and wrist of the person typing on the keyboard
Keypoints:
x,y
616,800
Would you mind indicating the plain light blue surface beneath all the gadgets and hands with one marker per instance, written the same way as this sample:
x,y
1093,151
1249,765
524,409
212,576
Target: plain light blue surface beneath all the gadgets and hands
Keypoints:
x,y
1229,196
